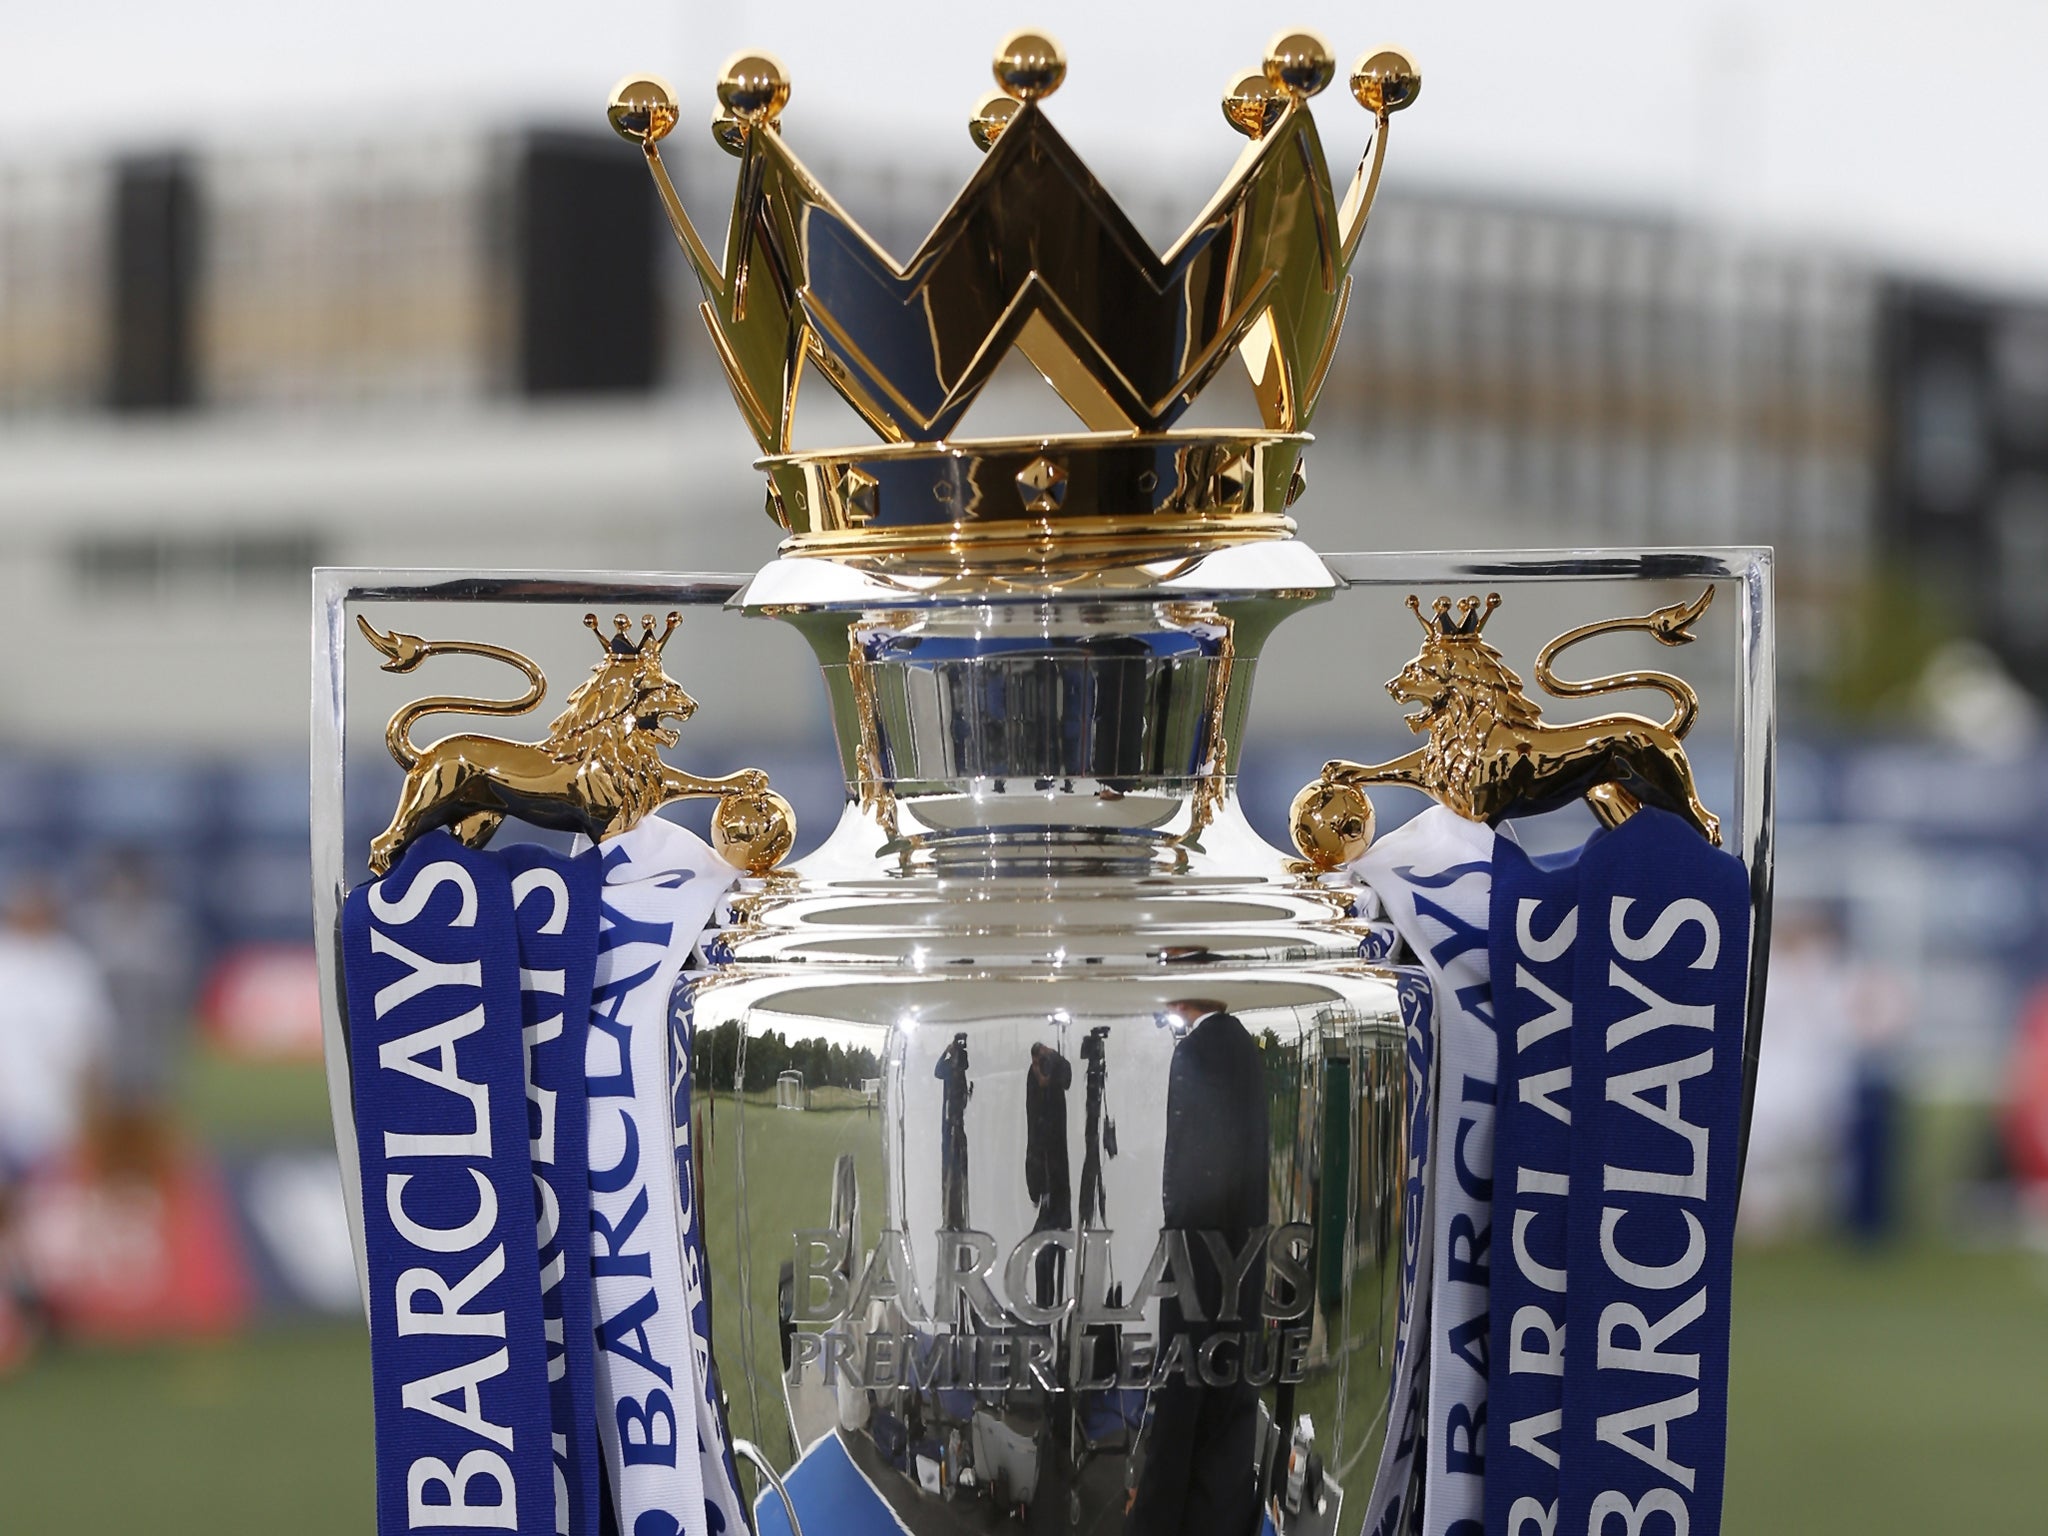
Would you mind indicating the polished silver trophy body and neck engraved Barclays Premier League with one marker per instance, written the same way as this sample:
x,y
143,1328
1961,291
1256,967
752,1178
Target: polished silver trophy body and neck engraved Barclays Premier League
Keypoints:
x,y
1052,1121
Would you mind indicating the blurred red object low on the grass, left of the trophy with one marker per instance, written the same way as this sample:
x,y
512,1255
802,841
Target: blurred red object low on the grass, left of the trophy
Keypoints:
x,y
136,1256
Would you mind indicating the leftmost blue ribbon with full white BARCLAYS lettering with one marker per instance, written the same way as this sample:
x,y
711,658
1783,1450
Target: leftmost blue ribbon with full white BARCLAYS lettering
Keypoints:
x,y
458,1355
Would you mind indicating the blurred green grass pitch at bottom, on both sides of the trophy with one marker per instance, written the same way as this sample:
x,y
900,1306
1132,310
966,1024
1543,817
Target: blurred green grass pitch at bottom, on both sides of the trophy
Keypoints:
x,y
1871,1396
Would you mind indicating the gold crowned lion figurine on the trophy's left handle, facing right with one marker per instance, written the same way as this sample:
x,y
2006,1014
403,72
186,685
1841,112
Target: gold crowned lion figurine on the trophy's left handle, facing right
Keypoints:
x,y
597,773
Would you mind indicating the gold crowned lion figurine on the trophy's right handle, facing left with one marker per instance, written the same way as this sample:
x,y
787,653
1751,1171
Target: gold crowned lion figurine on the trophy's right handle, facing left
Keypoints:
x,y
1490,753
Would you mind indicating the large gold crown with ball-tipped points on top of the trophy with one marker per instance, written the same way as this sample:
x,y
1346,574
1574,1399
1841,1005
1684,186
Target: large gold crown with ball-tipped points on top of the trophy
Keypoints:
x,y
1035,257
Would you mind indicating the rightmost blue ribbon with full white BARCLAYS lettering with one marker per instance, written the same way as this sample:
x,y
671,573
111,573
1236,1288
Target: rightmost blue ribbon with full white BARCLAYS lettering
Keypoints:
x,y
1658,1086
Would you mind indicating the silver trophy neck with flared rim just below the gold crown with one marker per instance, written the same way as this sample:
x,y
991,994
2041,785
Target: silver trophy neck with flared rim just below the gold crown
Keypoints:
x,y
1099,710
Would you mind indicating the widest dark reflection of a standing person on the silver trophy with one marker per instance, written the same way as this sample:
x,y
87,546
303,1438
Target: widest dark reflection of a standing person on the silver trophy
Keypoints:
x,y
1199,1476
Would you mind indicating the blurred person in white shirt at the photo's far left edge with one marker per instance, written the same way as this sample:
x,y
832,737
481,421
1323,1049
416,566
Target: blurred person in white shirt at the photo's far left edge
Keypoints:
x,y
54,1041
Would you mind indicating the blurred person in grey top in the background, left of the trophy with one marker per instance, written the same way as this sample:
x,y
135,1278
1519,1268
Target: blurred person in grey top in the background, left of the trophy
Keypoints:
x,y
144,947
